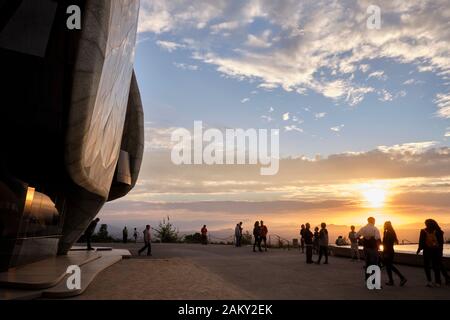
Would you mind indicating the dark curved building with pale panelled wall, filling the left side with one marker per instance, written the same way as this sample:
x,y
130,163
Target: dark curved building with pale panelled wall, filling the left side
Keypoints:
x,y
71,121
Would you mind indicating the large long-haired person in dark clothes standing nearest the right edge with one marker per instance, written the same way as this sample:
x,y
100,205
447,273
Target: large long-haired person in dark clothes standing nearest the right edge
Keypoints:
x,y
431,241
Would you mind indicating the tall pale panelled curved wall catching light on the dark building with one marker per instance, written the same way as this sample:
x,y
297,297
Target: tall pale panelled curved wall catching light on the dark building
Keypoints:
x,y
101,85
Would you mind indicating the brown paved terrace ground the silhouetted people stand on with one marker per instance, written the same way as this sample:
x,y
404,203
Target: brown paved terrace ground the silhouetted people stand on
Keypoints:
x,y
184,271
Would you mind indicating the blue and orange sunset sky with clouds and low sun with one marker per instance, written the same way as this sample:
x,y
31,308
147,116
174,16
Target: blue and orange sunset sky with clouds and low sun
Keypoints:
x,y
364,115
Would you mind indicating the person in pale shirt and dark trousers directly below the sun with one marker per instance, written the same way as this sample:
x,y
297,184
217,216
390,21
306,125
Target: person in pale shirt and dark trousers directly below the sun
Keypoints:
x,y
371,242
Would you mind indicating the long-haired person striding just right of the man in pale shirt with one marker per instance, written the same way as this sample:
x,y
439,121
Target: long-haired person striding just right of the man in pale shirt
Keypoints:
x,y
389,239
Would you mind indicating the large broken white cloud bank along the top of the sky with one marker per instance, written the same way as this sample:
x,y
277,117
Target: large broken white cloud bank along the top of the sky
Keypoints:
x,y
331,38
